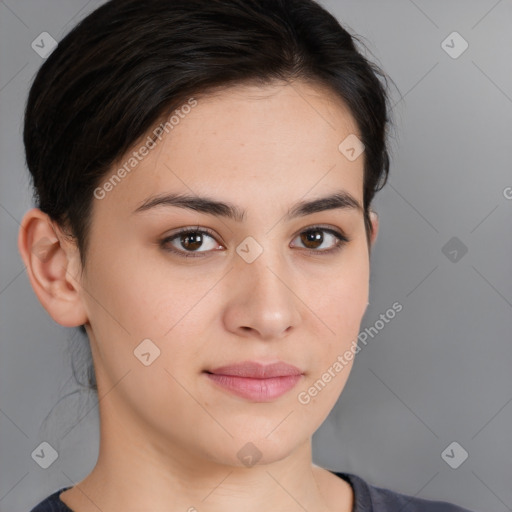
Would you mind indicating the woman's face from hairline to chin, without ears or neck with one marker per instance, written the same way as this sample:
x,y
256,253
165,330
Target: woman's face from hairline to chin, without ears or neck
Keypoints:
x,y
258,288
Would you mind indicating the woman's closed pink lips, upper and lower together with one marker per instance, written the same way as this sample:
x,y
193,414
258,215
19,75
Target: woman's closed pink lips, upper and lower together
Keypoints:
x,y
255,381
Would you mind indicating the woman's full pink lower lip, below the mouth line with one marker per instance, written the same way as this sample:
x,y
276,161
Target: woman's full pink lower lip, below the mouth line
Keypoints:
x,y
259,390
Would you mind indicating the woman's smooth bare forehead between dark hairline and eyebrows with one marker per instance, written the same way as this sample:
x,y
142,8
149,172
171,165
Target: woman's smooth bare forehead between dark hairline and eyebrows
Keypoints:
x,y
248,143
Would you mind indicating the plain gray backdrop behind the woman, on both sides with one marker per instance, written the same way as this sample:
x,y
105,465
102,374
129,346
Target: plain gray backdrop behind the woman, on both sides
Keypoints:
x,y
438,372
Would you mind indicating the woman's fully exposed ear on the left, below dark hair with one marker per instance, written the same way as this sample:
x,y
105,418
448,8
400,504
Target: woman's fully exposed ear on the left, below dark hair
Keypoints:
x,y
53,267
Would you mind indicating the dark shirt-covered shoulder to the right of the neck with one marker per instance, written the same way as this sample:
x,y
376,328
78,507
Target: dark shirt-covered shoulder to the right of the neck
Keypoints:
x,y
370,498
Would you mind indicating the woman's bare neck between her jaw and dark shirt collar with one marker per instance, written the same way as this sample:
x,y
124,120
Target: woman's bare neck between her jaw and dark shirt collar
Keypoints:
x,y
135,471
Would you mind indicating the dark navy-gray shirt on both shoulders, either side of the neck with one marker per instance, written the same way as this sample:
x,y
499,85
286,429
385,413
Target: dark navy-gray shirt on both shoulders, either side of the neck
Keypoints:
x,y
367,498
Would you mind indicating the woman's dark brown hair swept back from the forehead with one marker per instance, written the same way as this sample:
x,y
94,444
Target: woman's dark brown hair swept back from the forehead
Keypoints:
x,y
132,62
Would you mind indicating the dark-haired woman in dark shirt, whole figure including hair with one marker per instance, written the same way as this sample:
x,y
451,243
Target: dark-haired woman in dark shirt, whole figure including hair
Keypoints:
x,y
204,172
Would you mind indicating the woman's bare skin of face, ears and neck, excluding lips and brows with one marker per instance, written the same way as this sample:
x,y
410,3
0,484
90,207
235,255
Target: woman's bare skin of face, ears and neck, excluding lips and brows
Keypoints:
x,y
169,437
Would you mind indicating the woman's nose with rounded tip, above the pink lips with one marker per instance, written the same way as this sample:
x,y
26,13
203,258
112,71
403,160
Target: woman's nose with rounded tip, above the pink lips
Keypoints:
x,y
262,302
